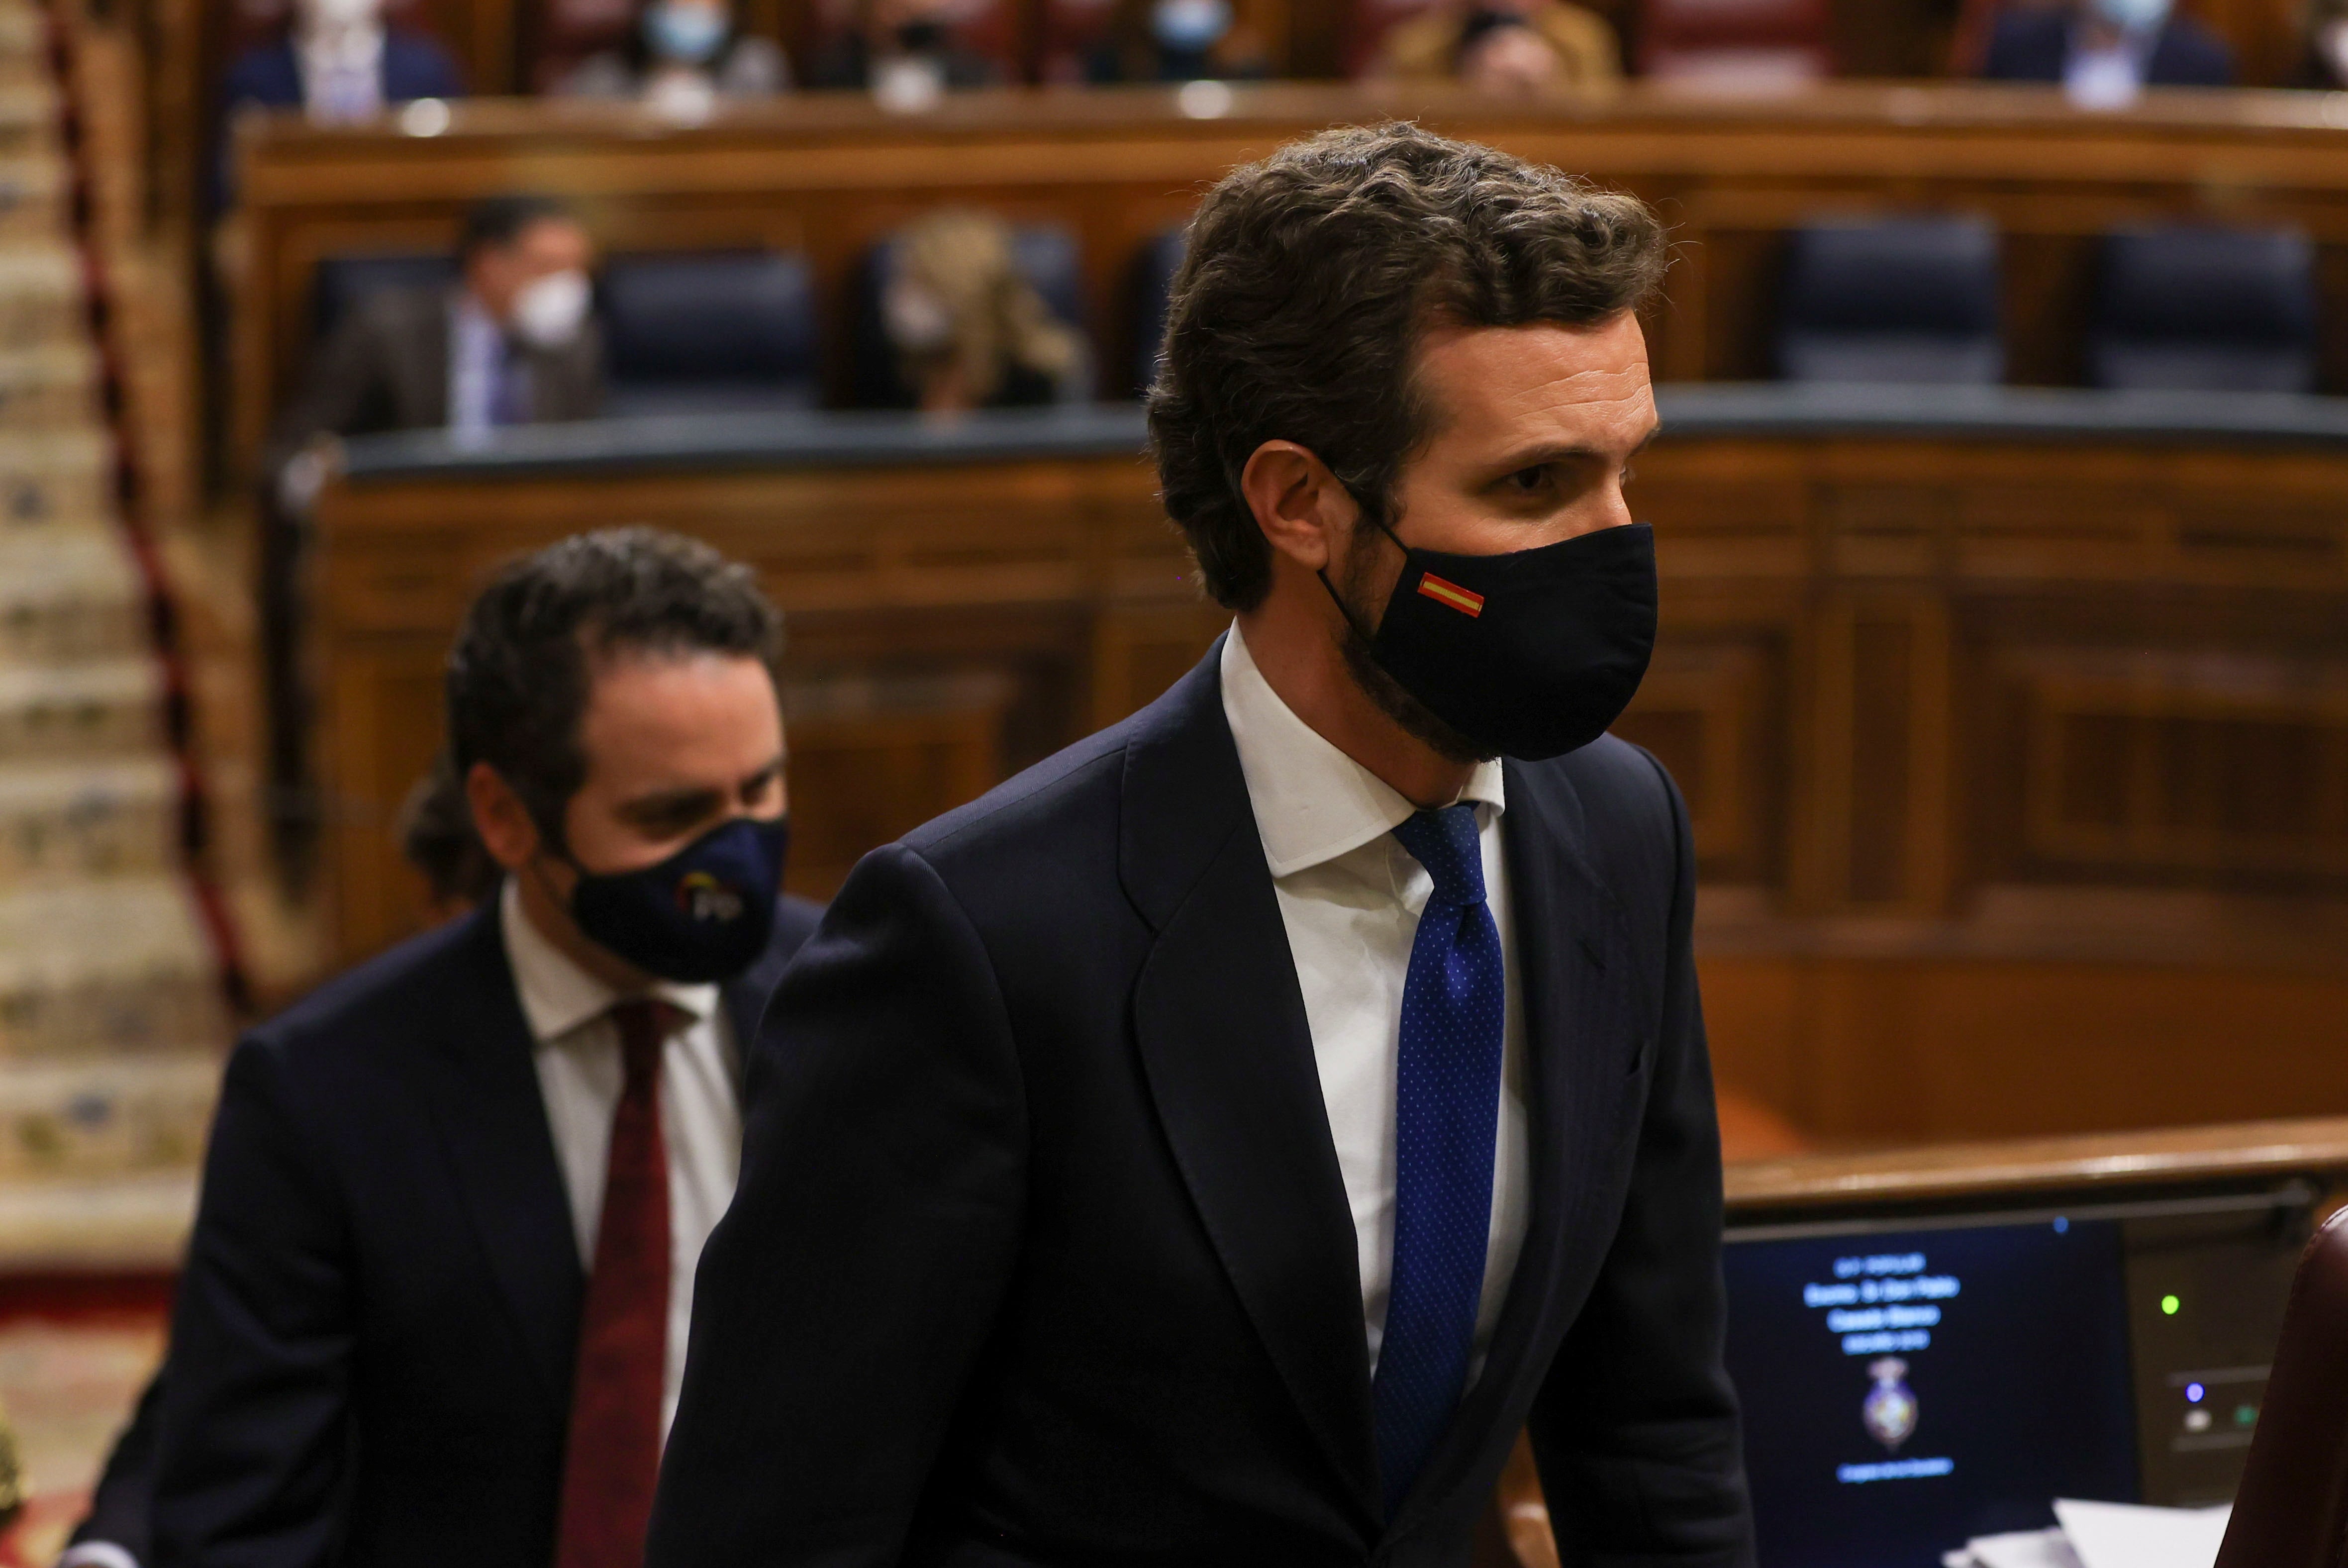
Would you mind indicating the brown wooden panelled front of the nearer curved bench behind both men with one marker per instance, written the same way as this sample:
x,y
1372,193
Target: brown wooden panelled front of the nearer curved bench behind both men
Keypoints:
x,y
2018,773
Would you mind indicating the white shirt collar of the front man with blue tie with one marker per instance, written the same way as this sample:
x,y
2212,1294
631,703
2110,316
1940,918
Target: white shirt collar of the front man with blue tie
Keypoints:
x,y
1311,799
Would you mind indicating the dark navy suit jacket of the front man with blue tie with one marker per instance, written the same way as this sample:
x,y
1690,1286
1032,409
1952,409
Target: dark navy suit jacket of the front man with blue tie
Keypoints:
x,y
1044,1257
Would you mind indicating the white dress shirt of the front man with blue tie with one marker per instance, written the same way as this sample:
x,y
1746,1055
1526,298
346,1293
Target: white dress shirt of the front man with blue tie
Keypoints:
x,y
1349,898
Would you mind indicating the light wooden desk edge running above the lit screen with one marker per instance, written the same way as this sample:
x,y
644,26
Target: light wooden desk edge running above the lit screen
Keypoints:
x,y
2091,1161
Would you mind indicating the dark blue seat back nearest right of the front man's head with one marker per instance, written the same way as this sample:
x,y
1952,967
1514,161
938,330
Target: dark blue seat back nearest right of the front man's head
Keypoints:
x,y
1891,302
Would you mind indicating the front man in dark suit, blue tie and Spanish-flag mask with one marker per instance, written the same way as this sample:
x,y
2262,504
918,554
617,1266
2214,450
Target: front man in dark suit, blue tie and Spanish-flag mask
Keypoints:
x,y
1220,1142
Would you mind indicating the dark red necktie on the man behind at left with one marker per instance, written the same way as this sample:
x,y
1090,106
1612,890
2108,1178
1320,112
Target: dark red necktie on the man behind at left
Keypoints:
x,y
614,1452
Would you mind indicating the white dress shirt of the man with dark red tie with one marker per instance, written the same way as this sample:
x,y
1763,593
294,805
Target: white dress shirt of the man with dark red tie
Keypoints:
x,y
581,1079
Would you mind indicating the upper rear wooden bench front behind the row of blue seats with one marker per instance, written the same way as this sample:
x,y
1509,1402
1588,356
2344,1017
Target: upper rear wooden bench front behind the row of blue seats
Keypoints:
x,y
830,175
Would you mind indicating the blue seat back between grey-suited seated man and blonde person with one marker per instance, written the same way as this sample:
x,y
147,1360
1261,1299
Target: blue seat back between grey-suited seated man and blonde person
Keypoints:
x,y
710,330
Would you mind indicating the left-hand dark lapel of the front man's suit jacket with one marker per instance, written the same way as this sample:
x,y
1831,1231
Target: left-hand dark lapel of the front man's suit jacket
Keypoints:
x,y
1229,1057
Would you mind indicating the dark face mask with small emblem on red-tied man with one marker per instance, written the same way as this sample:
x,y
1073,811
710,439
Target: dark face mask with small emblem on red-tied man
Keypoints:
x,y
699,917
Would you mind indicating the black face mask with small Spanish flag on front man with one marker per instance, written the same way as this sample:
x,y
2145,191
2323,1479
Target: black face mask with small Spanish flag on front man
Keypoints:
x,y
1527,654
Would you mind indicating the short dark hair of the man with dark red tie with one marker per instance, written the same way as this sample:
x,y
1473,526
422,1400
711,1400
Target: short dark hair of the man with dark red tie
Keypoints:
x,y
525,658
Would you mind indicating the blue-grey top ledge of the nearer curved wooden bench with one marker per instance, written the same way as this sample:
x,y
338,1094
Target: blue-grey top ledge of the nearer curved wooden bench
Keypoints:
x,y
1107,431
